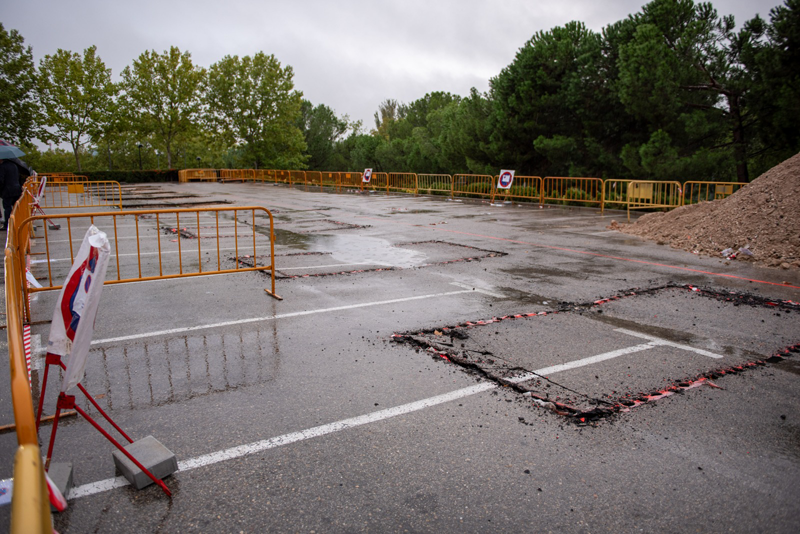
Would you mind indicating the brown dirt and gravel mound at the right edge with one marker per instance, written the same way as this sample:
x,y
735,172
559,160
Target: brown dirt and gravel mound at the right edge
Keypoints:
x,y
763,217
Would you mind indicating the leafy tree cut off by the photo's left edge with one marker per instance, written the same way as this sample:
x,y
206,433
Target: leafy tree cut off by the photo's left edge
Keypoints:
x,y
18,105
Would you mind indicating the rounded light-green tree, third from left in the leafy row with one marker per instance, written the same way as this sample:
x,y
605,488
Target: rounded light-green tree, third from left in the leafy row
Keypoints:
x,y
163,95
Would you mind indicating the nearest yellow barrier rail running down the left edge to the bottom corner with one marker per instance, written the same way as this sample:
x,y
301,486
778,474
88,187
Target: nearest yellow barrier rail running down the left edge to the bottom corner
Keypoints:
x,y
30,505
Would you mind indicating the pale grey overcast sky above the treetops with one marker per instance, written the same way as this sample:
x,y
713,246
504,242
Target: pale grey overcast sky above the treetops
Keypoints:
x,y
348,54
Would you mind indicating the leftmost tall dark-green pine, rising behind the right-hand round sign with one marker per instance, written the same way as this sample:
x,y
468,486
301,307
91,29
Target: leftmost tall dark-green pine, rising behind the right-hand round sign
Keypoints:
x,y
544,100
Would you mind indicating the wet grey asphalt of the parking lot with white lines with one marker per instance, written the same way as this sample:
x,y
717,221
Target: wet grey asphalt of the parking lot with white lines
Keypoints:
x,y
416,375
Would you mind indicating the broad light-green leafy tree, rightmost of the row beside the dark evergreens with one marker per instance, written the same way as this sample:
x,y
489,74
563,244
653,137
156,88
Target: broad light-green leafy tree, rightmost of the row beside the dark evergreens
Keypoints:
x,y
252,101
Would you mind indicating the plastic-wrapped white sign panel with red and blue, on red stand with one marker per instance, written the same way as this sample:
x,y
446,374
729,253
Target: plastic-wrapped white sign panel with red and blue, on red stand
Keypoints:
x,y
73,319
